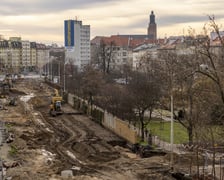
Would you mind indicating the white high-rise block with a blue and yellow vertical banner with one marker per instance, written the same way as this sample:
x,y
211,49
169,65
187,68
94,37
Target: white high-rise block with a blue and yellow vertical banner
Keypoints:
x,y
77,43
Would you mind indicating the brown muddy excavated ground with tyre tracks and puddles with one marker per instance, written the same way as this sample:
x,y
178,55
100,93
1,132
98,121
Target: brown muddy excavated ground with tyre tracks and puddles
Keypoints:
x,y
45,146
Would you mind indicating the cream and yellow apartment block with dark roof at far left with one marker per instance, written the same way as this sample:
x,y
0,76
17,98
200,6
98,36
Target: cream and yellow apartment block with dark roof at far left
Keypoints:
x,y
17,56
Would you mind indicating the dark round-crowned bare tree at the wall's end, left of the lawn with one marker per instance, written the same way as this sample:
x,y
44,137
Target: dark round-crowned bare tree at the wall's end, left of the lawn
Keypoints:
x,y
144,90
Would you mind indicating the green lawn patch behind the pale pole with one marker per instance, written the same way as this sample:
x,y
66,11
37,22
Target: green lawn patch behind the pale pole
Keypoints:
x,y
162,130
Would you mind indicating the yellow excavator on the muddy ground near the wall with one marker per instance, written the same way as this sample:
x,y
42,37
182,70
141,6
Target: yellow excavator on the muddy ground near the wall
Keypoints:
x,y
55,107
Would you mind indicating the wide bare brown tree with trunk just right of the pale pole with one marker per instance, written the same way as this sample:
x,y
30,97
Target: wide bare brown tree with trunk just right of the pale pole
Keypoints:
x,y
179,74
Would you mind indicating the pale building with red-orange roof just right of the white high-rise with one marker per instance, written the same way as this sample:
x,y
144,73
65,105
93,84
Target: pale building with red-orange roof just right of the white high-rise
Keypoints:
x,y
116,49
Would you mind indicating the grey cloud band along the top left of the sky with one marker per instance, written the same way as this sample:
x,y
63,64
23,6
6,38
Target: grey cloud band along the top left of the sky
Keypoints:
x,y
11,7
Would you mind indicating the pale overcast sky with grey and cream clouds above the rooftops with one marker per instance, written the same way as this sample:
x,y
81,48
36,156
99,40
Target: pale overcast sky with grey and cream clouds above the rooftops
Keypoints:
x,y
43,20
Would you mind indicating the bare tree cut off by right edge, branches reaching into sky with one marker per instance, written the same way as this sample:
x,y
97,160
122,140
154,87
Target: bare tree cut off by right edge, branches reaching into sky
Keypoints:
x,y
211,65
